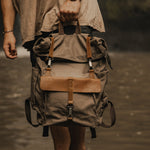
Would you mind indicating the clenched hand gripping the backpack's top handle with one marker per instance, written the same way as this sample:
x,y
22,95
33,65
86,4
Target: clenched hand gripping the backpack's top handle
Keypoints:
x,y
69,10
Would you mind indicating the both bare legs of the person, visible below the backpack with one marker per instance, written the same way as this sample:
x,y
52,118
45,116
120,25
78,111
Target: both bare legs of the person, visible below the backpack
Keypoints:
x,y
68,138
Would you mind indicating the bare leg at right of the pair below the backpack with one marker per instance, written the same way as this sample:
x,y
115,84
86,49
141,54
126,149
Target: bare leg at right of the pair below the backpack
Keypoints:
x,y
77,134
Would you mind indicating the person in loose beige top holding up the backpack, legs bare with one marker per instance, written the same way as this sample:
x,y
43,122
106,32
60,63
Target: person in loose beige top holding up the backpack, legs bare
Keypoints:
x,y
39,18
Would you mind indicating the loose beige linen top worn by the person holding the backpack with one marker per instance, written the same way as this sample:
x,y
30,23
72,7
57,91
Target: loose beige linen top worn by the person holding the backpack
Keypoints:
x,y
41,15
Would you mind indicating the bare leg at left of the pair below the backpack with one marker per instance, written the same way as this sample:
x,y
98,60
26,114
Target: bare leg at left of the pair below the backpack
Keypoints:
x,y
61,137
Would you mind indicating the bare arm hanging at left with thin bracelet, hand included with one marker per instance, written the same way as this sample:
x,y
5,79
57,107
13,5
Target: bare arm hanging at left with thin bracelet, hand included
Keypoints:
x,y
9,43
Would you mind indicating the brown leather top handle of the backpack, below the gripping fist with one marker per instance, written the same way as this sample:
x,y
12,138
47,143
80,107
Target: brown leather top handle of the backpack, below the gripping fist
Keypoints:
x,y
61,28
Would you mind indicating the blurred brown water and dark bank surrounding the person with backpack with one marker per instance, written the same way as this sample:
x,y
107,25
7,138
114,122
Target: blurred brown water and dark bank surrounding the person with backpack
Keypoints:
x,y
127,34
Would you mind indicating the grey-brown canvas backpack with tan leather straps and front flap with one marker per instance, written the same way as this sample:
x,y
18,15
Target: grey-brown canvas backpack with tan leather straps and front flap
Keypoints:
x,y
68,81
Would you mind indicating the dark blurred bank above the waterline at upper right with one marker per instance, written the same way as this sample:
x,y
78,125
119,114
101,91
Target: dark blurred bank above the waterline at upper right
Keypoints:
x,y
127,21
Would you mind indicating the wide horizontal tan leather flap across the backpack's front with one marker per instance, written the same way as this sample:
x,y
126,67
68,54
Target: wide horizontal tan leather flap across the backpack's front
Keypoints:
x,y
80,85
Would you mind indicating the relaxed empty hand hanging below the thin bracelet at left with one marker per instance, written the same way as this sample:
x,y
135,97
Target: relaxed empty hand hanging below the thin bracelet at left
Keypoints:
x,y
9,45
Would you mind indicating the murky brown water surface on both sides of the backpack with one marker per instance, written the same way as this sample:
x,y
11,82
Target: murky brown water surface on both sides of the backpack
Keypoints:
x,y
128,88
